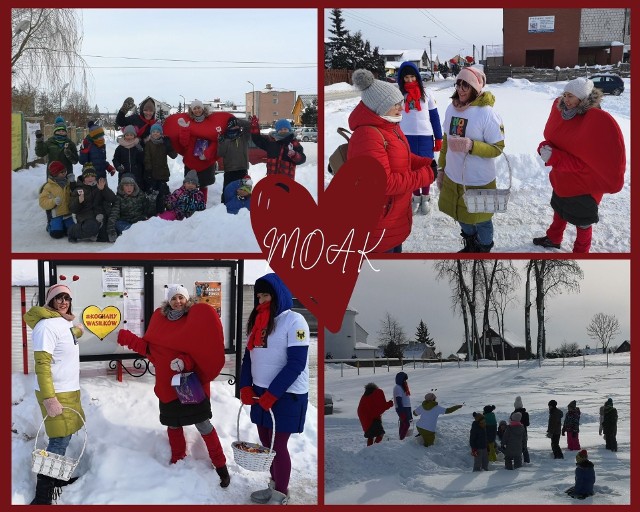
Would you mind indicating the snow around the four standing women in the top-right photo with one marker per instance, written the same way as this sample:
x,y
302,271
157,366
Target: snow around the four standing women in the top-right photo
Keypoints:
x,y
524,107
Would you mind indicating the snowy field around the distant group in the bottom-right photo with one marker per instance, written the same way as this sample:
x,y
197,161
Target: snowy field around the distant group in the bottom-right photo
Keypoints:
x,y
405,472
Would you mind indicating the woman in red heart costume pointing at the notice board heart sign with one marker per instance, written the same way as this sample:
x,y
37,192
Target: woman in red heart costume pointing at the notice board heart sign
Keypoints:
x,y
184,337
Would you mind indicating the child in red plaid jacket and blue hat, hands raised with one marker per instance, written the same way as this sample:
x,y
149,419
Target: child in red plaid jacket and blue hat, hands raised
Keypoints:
x,y
284,151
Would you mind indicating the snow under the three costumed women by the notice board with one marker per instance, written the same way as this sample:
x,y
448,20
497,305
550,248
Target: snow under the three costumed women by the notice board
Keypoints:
x,y
127,456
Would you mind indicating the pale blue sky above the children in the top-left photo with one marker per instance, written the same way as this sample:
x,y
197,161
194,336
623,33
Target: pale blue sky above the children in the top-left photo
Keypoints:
x,y
198,53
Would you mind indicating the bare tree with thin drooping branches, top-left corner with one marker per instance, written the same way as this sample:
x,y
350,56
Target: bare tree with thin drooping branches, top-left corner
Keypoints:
x,y
45,49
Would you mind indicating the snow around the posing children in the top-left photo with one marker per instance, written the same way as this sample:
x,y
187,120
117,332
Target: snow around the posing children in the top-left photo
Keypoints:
x,y
213,230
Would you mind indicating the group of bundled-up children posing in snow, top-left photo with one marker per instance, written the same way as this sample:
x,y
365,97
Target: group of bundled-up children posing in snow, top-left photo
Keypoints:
x,y
143,174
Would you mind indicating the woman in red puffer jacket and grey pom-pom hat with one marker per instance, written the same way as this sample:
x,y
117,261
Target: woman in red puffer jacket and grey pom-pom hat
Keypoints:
x,y
378,116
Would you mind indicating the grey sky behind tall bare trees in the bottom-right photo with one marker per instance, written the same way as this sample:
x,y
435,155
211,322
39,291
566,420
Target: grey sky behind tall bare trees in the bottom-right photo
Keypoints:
x,y
409,292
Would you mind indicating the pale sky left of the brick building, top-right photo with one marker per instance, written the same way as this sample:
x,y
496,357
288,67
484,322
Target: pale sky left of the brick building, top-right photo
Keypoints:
x,y
452,31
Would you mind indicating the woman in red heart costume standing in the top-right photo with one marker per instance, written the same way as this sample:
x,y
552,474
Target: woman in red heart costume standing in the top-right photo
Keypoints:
x,y
584,148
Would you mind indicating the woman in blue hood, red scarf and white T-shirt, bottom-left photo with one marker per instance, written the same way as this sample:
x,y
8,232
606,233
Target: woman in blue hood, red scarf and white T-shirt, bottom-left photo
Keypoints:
x,y
275,376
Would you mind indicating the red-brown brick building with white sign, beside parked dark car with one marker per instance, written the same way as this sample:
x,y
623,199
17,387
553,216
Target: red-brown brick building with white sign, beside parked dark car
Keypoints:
x,y
548,38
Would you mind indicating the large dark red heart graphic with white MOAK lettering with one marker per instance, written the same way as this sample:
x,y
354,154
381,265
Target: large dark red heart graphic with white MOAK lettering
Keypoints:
x,y
317,249
